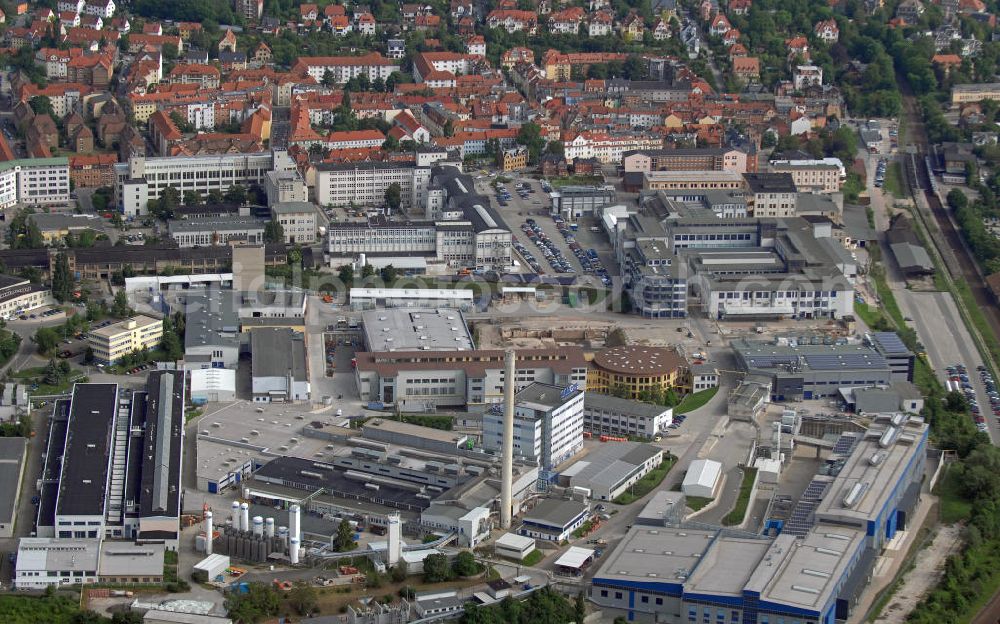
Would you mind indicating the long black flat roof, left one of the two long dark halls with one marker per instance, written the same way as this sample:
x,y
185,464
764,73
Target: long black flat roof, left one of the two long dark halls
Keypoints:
x,y
83,484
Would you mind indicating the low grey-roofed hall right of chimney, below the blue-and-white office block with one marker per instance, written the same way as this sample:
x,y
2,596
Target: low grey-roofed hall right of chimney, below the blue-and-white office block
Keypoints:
x,y
608,471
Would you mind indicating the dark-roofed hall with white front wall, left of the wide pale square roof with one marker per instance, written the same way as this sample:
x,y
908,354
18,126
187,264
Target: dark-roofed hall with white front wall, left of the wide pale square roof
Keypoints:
x,y
278,365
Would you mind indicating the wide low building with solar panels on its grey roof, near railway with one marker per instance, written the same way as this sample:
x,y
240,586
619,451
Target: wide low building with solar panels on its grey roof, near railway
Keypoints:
x,y
807,369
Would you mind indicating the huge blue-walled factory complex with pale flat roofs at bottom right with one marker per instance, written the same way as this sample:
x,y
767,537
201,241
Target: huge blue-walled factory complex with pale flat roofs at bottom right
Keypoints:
x,y
813,571
